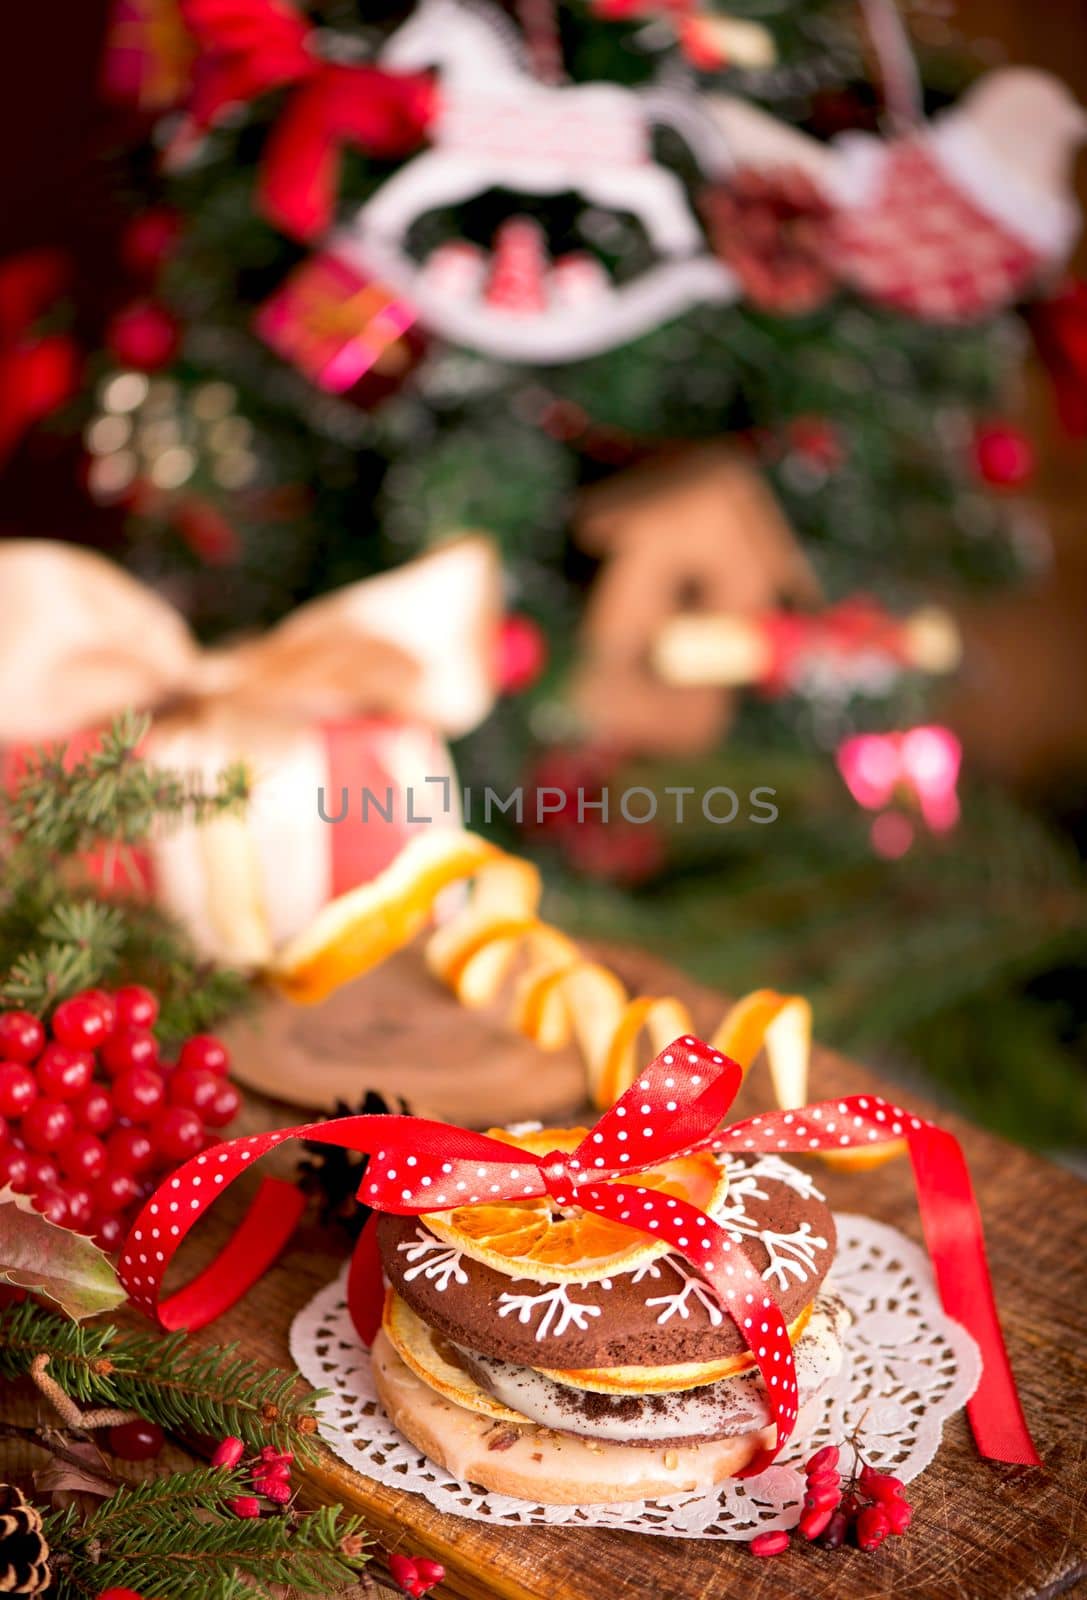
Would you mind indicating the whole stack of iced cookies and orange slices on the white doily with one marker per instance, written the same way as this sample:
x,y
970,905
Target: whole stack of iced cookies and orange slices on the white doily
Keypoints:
x,y
555,1356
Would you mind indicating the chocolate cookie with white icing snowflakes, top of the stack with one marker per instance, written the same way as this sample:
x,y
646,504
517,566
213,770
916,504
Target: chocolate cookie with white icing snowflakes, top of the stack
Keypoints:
x,y
659,1316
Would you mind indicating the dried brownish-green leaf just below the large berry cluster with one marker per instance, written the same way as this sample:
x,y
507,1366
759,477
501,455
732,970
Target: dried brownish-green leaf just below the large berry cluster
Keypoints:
x,y
54,1262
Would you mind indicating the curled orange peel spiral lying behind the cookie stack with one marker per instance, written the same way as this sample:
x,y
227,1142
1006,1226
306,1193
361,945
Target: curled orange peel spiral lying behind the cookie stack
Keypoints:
x,y
495,937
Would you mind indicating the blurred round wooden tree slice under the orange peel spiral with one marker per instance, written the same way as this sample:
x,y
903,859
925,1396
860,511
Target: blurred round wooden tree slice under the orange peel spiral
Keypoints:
x,y
401,1033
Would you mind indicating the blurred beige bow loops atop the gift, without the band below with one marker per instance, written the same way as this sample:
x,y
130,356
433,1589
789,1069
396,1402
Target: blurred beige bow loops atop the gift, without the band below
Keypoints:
x,y
81,639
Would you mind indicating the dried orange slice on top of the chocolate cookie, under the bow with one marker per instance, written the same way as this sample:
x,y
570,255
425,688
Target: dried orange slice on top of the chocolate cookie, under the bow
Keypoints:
x,y
550,1244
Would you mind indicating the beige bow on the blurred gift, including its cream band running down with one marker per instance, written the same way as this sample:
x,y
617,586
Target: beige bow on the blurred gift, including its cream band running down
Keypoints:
x,y
82,641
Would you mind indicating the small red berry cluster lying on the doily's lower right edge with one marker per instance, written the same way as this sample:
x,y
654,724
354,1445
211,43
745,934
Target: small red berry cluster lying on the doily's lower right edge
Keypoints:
x,y
865,1510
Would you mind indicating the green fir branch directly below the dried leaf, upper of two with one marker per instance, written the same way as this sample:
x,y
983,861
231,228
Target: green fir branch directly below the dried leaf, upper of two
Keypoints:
x,y
188,1391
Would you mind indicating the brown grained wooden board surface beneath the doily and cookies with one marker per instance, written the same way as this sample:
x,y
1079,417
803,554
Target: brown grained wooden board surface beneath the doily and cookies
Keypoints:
x,y
981,1532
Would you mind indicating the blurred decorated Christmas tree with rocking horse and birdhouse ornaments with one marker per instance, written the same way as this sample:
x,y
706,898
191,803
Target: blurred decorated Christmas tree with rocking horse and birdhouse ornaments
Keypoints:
x,y
401,271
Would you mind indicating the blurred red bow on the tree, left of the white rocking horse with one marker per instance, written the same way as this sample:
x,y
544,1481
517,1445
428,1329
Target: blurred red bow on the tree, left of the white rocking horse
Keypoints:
x,y
251,47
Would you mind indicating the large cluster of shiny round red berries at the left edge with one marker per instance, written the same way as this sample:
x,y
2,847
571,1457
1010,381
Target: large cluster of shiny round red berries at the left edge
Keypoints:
x,y
92,1118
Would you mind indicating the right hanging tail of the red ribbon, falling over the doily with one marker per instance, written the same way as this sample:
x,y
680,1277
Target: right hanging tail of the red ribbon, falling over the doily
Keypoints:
x,y
957,1246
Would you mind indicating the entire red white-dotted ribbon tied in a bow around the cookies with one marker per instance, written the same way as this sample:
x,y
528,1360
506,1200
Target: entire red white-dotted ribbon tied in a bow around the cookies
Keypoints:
x,y
675,1110
